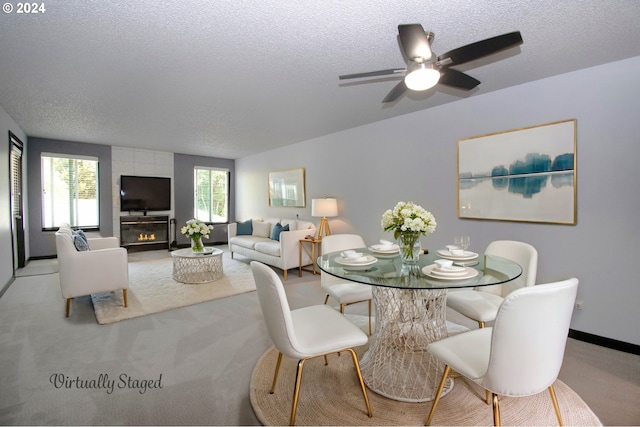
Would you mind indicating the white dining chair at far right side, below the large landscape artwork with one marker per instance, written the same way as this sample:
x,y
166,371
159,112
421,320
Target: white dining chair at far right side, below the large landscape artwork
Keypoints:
x,y
481,304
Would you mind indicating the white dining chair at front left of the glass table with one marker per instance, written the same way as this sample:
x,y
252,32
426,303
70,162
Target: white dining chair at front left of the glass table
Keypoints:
x,y
304,333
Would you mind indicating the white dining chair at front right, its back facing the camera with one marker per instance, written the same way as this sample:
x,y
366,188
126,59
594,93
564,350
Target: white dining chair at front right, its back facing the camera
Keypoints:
x,y
522,353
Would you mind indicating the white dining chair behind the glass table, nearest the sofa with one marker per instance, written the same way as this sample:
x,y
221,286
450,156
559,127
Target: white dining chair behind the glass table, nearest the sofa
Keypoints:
x,y
343,291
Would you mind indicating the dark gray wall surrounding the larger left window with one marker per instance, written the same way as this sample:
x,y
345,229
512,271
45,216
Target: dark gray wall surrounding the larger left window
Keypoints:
x,y
42,243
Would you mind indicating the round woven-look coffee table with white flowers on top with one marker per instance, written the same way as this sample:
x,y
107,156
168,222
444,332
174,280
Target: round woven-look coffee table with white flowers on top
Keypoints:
x,y
192,267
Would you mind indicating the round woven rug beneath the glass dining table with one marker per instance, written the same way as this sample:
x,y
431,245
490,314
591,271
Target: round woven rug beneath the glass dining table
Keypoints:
x,y
330,395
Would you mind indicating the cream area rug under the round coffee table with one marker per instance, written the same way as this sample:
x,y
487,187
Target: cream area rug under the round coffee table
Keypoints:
x,y
152,289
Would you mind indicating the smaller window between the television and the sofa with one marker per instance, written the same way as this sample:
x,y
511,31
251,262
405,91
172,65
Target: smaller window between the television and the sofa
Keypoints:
x,y
211,202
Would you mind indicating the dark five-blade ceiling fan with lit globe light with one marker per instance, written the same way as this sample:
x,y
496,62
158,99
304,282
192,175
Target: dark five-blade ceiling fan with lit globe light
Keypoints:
x,y
424,69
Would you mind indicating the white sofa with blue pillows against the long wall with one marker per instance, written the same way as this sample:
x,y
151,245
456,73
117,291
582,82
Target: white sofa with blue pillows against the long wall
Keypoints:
x,y
283,254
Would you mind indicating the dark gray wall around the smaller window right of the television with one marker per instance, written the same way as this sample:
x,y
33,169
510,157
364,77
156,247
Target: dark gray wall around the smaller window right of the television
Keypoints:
x,y
183,172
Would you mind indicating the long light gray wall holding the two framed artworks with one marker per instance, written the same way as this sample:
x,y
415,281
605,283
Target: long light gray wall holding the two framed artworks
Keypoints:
x,y
413,157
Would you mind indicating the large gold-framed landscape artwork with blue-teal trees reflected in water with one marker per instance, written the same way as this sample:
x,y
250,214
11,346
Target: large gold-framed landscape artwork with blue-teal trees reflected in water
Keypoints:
x,y
526,174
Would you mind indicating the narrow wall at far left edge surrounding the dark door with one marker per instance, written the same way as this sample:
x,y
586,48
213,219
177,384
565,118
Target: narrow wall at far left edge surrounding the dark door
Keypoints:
x,y
6,267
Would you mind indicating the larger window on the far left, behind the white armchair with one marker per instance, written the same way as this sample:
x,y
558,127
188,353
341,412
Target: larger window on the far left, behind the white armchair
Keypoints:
x,y
69,191
